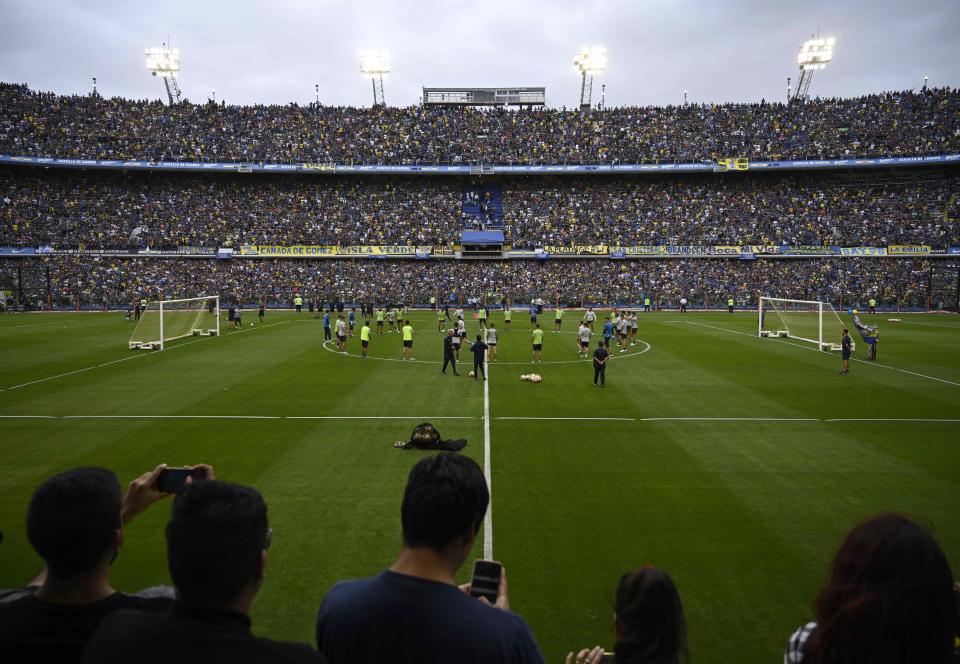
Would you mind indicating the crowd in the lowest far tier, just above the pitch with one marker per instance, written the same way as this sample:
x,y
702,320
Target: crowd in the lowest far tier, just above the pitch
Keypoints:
x,y
118,281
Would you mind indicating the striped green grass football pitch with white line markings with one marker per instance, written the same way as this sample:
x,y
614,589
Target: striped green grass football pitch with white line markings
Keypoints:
x,y
735,463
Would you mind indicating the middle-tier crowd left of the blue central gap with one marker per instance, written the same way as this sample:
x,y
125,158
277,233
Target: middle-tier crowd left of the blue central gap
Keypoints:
x,y
117,210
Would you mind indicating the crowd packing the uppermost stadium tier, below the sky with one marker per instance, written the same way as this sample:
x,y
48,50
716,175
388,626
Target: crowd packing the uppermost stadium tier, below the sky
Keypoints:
x,y
905,123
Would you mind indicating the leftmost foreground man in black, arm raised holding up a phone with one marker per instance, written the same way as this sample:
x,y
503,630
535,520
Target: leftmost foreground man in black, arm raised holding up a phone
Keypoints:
x,y
75,523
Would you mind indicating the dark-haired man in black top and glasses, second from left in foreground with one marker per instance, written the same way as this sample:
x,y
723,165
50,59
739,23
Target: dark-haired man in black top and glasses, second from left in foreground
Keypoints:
x,y
217,542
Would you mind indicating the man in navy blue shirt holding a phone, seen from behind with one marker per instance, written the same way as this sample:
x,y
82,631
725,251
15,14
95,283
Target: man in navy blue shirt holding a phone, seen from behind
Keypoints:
x,y
414,612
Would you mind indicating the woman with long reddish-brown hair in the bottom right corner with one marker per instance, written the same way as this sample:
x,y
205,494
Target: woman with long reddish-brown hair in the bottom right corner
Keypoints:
x,y
890,599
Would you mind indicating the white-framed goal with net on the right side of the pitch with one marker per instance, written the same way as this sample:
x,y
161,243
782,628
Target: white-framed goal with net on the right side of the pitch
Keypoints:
x,y
805,320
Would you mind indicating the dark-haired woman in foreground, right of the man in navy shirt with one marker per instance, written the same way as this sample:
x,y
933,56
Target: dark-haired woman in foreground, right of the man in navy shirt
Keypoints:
x,y
648,621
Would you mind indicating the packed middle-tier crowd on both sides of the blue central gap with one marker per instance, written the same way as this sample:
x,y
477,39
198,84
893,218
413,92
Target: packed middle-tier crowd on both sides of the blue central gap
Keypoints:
x,y
104,210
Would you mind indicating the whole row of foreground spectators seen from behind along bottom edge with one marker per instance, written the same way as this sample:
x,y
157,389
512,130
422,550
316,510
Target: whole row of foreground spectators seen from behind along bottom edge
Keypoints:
x,y
890,597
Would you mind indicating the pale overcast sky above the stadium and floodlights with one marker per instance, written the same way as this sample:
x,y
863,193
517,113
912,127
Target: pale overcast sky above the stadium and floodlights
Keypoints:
x,y
275,51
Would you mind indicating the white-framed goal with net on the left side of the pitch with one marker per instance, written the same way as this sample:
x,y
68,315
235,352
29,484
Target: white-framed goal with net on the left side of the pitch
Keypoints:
x,y
165,320
